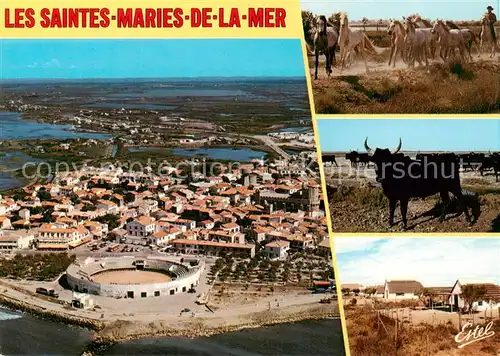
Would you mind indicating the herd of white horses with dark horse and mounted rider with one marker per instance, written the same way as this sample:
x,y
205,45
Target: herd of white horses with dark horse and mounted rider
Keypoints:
x,y
413,39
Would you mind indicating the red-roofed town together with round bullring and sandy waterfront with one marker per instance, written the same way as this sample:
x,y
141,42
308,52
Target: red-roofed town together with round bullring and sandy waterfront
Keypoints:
x,y
260,229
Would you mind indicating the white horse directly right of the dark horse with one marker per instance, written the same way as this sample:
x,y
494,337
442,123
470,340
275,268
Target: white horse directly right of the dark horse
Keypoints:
x,y
350,39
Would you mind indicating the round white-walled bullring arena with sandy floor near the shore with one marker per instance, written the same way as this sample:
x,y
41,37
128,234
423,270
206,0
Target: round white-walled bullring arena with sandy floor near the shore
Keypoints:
x,y
130,277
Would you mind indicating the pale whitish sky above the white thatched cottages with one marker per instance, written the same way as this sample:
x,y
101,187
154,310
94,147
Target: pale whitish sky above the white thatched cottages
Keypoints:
x,y
435,262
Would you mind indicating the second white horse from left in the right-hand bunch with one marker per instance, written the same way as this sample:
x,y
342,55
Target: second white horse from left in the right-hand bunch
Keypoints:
x,y
417,44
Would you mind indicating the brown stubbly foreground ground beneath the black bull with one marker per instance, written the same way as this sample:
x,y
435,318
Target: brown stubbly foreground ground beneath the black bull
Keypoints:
x,y
366,209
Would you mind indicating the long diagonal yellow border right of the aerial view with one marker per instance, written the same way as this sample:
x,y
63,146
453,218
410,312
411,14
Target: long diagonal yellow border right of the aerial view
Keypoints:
x,y
325,199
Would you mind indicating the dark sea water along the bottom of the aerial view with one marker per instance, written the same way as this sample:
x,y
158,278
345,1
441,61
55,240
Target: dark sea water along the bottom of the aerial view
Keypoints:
x,y
22,334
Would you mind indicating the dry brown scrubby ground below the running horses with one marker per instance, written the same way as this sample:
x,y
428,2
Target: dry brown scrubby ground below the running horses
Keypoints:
x,y
453,86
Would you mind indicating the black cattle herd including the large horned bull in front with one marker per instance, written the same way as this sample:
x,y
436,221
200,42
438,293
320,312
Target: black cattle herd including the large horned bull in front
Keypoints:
x,y
403,177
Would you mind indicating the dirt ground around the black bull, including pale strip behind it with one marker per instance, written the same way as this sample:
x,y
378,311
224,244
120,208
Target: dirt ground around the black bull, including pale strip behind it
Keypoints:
x,y
357,204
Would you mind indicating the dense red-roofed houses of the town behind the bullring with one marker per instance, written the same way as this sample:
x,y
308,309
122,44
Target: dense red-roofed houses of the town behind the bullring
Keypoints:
x,y
232,212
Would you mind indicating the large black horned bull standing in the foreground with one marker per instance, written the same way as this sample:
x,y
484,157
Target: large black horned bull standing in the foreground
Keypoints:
x,y
403,178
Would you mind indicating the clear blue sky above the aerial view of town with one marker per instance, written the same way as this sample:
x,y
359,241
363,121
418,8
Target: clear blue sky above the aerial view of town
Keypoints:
x,y
74,59
